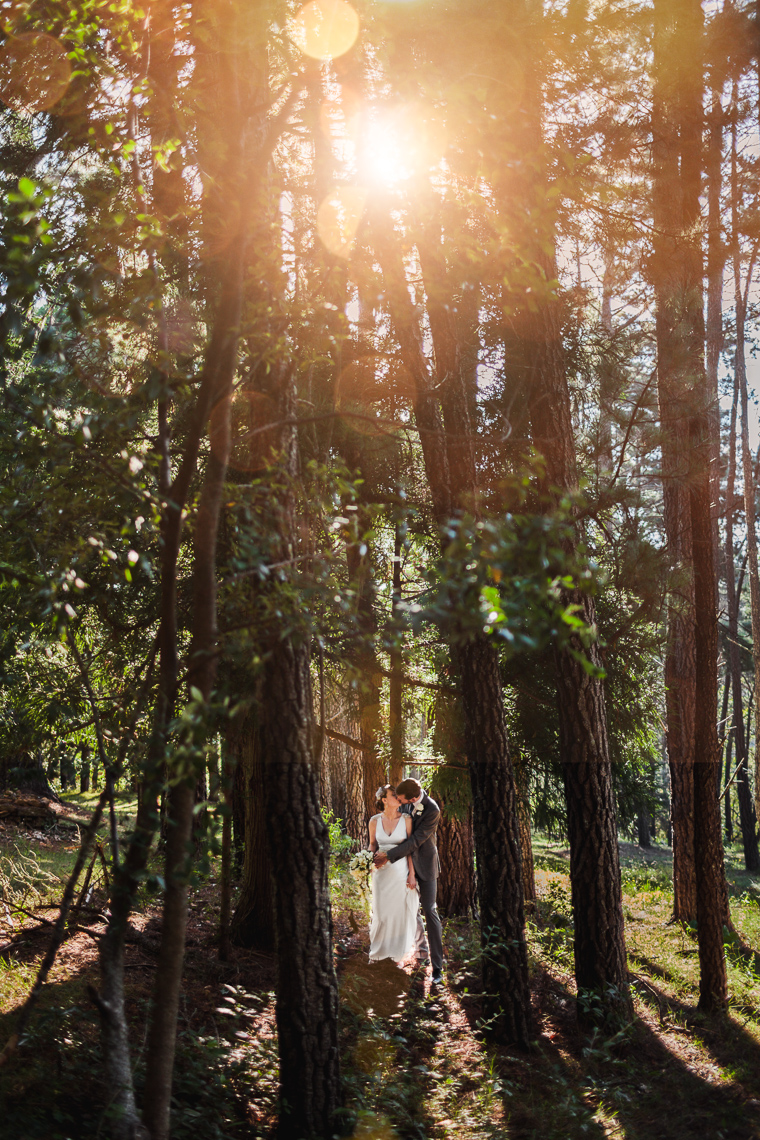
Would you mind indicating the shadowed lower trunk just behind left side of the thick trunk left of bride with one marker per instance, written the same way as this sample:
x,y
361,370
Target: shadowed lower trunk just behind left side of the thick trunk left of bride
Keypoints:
x,y
254,923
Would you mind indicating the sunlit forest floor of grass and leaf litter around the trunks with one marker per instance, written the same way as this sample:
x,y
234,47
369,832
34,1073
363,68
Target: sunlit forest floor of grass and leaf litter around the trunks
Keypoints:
x,y
416,1061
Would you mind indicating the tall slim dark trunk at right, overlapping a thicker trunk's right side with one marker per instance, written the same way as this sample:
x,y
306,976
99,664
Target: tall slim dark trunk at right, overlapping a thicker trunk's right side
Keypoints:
x,y
685,25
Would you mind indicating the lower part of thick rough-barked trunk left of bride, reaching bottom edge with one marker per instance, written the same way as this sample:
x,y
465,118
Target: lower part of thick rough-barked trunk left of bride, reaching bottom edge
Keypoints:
x,y
307,988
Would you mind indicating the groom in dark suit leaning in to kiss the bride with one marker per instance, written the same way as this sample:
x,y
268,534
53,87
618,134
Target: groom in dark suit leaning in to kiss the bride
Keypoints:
x,y
421,845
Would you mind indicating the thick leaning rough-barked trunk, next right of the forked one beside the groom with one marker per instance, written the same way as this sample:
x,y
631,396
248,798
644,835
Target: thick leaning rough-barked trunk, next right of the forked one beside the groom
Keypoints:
x,y
585,756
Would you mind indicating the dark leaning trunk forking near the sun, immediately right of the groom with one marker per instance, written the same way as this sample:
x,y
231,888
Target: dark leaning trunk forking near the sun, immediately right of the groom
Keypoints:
x,y
450,467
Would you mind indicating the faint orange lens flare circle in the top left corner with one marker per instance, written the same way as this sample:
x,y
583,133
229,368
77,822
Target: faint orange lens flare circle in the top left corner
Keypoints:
x,y
35,72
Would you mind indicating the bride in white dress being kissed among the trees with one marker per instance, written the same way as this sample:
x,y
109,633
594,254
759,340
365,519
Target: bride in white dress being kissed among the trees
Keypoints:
x,y
395,897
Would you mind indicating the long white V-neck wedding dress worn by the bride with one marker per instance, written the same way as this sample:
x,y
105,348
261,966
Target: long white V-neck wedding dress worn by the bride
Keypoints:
x,y
395,907
